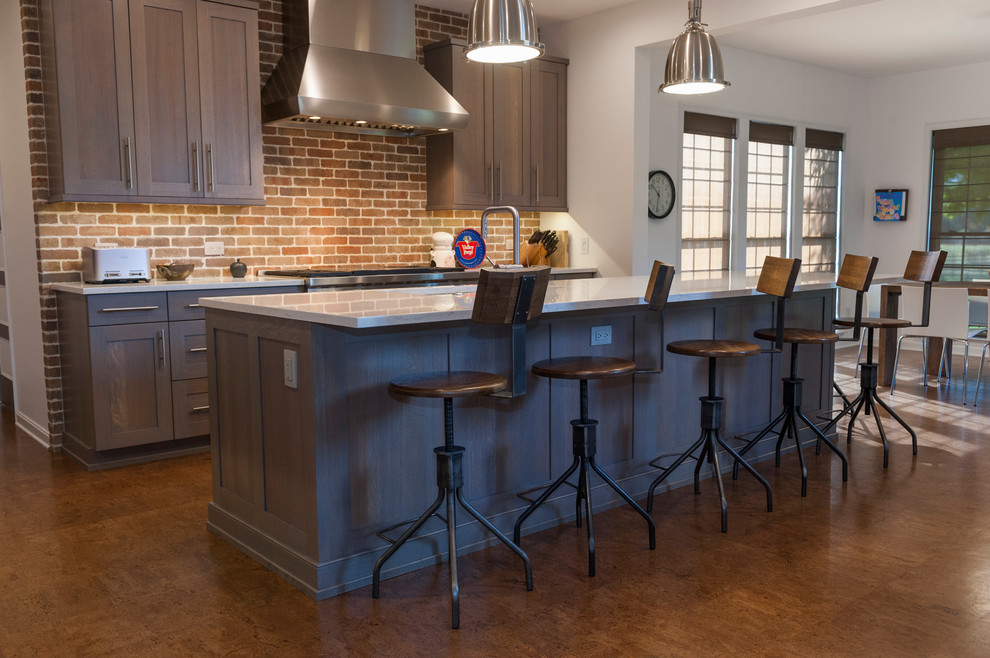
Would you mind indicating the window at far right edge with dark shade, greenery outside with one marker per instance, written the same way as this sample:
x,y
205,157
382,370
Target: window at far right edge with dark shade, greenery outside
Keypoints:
x,y
959,218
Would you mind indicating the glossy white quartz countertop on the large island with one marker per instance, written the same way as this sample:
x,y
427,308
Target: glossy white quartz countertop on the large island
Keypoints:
x,y
361,309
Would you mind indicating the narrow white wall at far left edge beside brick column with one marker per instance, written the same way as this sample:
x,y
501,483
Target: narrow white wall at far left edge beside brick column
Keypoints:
x,y
19,241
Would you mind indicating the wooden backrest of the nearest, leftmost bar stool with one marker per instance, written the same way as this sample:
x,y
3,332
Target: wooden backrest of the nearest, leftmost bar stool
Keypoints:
x,y
498,299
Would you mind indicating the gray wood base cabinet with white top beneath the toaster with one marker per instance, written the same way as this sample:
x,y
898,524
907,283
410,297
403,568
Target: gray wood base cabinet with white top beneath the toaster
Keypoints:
x,y
134,373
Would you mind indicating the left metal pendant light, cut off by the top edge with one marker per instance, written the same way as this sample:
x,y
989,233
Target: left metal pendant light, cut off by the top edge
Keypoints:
x,y
503,31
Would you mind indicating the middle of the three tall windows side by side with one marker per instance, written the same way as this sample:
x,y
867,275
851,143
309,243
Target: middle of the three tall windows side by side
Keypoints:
x,y
768,216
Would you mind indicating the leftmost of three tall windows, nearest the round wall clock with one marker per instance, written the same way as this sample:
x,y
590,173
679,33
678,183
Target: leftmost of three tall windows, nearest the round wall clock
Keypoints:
x,y
706,193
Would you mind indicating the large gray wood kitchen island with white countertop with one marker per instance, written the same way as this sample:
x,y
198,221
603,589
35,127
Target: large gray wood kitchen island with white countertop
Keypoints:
x,y
312,456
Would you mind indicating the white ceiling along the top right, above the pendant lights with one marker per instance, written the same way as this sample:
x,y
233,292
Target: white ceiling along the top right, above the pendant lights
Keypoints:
x,y
869,38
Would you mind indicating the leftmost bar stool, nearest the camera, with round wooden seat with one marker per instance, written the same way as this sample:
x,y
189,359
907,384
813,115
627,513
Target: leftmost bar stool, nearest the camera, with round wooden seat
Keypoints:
x,y
522,291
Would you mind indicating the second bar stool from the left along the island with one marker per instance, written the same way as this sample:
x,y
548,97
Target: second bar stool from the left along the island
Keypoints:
x,y
584,432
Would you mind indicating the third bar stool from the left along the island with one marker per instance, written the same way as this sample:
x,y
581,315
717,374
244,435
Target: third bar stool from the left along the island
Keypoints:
x,y
777,278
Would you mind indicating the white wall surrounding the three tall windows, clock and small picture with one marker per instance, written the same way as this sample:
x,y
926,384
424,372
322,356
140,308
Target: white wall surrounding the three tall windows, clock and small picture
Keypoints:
x,y
619,129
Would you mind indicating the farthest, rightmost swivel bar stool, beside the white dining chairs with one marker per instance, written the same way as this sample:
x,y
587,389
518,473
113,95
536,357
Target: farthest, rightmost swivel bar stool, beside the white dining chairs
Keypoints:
x,y
923,267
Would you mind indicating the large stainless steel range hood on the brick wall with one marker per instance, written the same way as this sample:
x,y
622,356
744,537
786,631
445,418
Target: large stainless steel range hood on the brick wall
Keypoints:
x,y
349,65
